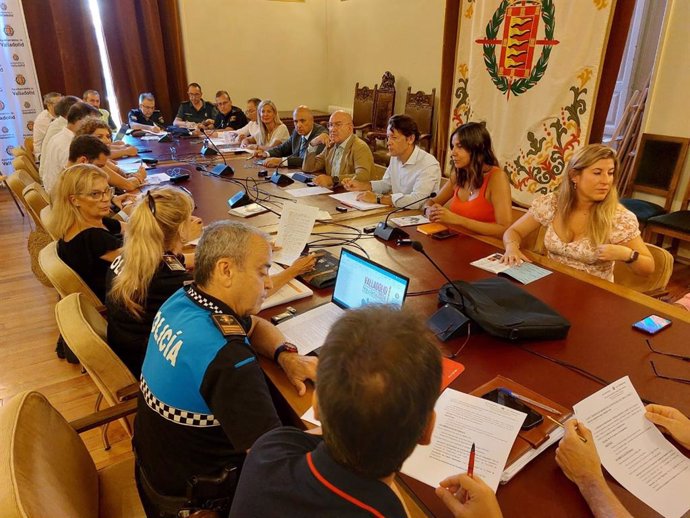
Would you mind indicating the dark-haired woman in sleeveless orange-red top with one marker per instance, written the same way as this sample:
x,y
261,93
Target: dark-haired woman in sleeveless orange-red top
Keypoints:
x,y
478,190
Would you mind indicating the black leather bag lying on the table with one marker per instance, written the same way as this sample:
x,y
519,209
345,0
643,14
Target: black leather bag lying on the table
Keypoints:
x,y
505,310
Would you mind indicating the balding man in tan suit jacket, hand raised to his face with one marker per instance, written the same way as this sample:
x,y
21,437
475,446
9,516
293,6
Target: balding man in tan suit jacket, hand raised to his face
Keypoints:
x,y
346,155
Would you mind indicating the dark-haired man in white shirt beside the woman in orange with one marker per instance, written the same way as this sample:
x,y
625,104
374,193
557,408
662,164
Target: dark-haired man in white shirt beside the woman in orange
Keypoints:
x,y
413,174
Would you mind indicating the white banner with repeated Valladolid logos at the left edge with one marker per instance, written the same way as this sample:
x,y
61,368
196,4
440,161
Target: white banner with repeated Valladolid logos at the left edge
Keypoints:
x,y
20,97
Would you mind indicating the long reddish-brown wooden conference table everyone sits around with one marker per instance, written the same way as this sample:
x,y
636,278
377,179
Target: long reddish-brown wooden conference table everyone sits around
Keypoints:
x,y
600,344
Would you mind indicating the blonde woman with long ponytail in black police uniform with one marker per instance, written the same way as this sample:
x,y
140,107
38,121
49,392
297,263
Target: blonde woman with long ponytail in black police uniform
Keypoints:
x,y
149,270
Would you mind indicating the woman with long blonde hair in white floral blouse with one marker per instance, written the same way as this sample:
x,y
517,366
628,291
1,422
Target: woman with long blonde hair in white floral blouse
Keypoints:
x,y
586,227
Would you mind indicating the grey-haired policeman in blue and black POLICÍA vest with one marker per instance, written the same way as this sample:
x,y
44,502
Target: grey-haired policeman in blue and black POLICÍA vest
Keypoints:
x,y
204,399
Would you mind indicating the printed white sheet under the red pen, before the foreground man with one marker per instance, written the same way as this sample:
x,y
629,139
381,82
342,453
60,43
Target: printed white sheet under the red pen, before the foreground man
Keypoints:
x,y
462,419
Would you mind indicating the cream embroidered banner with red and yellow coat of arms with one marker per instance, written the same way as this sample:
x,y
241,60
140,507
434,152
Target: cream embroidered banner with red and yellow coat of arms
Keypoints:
x,y
530,69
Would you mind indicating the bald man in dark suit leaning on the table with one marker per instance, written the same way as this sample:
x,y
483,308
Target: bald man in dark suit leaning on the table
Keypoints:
x,y
293,151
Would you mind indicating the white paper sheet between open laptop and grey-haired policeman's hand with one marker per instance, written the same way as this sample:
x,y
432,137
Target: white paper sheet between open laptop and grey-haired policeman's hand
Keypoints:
x,y
308,331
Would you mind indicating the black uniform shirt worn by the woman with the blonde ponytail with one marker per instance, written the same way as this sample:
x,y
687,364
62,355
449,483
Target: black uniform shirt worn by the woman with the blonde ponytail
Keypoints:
x,y
128,335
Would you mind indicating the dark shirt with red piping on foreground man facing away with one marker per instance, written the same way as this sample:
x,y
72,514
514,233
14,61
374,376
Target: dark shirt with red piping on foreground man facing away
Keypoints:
x,y
291,473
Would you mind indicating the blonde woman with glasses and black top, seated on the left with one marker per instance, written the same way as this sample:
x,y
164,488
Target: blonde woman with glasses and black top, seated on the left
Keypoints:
x,y
88,240
